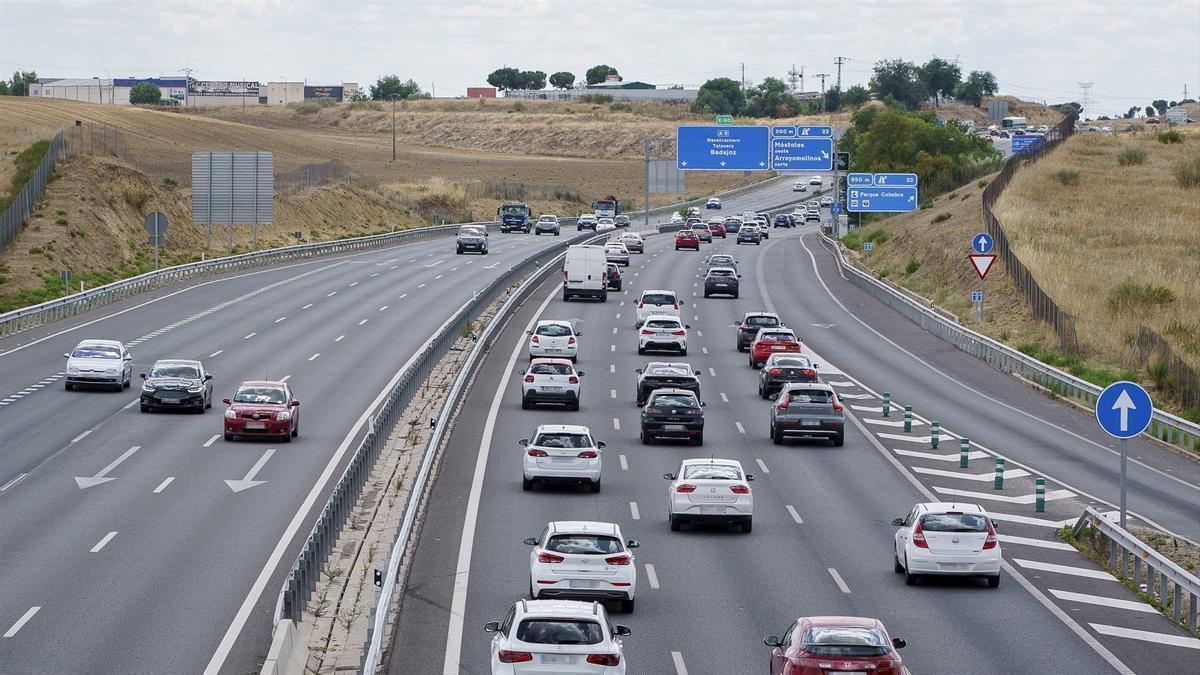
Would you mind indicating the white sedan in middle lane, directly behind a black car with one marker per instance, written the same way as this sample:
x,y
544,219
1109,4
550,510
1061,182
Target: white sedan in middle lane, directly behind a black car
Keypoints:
x,y
710,491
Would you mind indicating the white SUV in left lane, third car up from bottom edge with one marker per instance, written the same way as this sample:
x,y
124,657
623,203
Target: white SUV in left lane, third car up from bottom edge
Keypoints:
x,y
562,453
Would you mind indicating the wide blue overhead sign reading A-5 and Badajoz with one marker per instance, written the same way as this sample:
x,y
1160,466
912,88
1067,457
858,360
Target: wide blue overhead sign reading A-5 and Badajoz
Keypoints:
x,y
723,148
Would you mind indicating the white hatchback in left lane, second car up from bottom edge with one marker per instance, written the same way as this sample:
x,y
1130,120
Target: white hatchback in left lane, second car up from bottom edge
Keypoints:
x,y
584,560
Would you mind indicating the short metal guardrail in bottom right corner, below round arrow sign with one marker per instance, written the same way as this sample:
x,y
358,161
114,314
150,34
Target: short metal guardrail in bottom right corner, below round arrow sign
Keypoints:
x,y
1129,555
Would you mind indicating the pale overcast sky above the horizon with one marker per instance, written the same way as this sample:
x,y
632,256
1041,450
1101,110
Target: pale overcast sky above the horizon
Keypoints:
x,y
1133,51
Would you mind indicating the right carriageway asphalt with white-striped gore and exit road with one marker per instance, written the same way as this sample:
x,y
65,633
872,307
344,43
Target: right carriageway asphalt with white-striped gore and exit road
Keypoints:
x,y
823,516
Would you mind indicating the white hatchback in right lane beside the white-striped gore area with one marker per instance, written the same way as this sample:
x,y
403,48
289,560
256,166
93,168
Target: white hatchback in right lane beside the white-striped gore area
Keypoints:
x,y
947,539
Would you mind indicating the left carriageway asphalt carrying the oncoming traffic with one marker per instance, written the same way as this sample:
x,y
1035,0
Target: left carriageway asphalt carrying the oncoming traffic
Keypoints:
x,y
164,569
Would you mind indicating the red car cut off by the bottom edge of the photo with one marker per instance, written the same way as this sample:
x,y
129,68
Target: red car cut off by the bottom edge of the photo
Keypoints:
x,y
815,646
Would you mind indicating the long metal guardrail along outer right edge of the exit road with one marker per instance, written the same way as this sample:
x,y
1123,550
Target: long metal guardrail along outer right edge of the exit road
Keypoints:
x,y
1163,426
